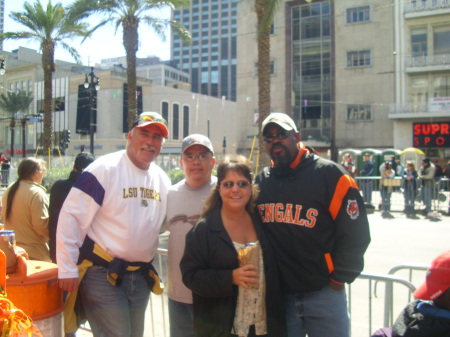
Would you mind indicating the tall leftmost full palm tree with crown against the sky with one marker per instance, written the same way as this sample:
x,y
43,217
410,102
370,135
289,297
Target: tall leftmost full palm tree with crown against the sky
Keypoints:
x,y
48,26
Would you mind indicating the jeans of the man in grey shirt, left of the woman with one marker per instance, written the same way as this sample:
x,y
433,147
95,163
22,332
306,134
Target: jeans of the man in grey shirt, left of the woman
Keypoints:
x,y
181,318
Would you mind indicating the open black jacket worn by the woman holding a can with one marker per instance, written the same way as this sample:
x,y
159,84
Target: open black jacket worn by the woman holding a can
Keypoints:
x,y
207,268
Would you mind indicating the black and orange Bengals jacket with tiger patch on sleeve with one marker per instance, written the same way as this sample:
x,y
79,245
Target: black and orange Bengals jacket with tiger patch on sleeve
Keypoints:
x,y
316,221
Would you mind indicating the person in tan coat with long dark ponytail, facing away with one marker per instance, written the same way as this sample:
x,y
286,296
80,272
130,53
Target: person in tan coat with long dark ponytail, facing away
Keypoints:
x,y
25,209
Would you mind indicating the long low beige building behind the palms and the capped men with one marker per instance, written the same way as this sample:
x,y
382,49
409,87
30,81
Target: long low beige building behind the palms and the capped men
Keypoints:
x,y
186,112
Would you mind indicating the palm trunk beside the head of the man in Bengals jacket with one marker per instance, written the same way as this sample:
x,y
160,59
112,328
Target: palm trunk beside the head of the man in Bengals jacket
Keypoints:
x,y
264,100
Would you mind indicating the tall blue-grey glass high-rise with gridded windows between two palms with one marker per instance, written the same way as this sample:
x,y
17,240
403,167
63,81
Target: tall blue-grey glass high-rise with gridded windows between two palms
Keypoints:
x,y
210,60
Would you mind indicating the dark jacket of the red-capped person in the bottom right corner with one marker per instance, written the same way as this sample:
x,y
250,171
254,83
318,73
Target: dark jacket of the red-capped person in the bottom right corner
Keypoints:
x,y
421,319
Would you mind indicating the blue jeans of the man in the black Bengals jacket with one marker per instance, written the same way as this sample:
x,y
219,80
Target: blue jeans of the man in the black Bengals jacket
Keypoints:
x,y
321,313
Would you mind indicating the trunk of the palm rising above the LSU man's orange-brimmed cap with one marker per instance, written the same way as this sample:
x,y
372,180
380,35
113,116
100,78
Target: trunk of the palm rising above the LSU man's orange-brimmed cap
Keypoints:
x,y
130,42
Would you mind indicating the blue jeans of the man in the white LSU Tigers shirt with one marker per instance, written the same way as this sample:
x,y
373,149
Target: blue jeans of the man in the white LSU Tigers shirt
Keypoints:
x,y
114,311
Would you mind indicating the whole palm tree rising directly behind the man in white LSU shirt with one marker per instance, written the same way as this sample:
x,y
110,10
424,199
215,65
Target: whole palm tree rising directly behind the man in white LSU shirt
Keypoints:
x,y
129,14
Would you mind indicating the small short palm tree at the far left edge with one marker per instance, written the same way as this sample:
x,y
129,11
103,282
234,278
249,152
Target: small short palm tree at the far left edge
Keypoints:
x,y
13,103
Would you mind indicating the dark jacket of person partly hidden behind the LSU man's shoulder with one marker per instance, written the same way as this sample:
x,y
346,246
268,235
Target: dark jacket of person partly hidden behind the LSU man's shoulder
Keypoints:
x,y
58,194
